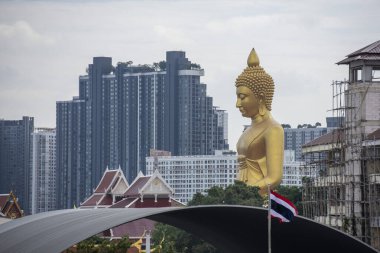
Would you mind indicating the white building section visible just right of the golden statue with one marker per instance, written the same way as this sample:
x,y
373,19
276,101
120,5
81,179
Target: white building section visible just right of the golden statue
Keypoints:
x,y
295,170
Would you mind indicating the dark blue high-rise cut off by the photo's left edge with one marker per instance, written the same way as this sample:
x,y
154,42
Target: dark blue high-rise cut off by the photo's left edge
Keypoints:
x,y
15,158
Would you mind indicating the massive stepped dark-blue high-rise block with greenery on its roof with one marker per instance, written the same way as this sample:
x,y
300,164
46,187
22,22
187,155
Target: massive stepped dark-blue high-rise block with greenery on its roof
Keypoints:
x,y
127,110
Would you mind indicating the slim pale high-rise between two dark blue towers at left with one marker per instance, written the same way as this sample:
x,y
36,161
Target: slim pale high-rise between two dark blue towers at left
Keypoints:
x,y
43,170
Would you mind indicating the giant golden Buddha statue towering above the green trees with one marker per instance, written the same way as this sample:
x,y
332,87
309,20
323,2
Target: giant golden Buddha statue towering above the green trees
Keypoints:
x,y
261,146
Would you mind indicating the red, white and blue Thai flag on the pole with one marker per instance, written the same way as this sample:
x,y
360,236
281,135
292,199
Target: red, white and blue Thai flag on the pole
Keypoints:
x,y
282,208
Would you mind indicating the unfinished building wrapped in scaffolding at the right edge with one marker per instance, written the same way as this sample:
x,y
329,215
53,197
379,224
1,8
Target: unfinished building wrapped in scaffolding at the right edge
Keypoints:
x,y
346,192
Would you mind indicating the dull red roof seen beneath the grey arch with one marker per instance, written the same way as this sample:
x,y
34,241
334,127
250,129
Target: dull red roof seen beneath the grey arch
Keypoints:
x,y
133,229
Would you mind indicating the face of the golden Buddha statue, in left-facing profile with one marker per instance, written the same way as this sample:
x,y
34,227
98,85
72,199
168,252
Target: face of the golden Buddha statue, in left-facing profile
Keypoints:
x,y
246,102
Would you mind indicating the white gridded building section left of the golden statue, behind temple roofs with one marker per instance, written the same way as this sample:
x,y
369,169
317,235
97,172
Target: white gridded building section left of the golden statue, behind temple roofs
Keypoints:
x,y
188,175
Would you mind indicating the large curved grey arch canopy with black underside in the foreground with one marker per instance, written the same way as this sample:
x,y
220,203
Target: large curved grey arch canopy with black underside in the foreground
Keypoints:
x,y
229,228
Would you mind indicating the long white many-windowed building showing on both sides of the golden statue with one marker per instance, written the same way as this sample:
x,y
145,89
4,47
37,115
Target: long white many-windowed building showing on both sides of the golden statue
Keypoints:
x,y
188,175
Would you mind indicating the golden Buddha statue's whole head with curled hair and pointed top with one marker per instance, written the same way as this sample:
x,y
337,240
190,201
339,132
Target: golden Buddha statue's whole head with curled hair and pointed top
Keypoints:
x,y
255,88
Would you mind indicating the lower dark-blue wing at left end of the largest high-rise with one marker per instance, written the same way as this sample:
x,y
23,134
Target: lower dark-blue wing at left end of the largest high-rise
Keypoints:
x,y
72,179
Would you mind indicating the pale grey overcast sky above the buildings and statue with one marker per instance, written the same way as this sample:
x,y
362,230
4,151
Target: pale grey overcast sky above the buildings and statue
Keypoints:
x,y
46,45
